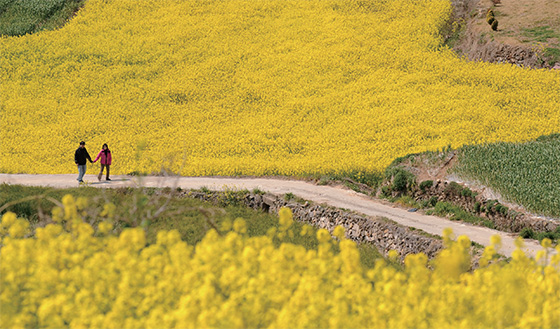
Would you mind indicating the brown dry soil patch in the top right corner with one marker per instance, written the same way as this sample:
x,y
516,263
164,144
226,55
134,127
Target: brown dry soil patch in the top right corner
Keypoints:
x,y
528,32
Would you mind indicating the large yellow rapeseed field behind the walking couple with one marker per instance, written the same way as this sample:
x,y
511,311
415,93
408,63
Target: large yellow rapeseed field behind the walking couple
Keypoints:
x,y
257,87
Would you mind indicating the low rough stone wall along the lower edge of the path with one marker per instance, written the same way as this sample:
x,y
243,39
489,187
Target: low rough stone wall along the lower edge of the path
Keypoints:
x,y
382,233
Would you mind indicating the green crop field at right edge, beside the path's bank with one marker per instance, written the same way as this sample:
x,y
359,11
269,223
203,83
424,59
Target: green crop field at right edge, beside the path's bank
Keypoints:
x,y
524,173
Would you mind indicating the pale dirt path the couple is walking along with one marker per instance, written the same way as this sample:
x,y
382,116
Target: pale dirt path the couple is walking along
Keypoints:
x,y
332,196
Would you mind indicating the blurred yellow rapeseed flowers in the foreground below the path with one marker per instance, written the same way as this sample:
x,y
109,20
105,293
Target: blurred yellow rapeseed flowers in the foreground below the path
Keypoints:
x,y
72,274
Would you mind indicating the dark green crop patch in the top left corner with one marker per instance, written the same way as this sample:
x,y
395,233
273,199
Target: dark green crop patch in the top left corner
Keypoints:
x,y
20,17
